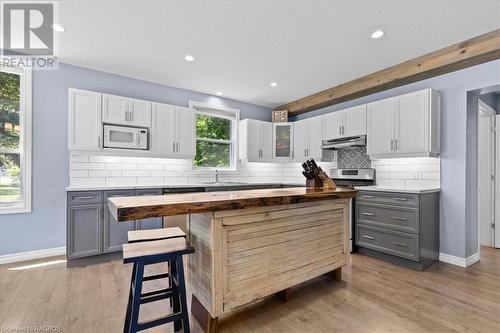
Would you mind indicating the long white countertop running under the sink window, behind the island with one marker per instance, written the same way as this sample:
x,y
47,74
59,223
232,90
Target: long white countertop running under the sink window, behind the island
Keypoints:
x,y
137,187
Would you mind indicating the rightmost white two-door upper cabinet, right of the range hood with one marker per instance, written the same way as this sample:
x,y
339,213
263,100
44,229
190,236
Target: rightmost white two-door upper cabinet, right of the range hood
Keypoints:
x,y
405,126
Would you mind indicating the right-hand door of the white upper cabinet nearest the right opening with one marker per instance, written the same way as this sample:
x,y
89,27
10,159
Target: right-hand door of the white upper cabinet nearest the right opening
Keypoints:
x,y
412,123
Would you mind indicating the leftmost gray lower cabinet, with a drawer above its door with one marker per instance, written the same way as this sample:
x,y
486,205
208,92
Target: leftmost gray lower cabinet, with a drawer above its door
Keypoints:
x,y
84,224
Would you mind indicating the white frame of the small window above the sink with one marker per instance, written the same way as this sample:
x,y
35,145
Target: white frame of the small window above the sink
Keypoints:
x,y
224,112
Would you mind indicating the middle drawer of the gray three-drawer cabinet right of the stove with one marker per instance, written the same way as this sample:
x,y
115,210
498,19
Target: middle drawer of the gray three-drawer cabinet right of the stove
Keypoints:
x,y
401,219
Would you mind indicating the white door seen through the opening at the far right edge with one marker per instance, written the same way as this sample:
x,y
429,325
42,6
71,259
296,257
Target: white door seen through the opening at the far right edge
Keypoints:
x,y
486,169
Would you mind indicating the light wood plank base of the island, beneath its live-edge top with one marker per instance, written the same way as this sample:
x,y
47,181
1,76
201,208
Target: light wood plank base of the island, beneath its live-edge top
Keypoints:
x,y
244,255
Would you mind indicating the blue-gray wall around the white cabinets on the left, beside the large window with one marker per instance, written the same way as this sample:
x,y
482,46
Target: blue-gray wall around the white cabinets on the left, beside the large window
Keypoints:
x,y
45,226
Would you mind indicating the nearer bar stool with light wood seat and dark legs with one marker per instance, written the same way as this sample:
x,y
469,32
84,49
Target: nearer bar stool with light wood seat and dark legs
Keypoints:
x,y
142,254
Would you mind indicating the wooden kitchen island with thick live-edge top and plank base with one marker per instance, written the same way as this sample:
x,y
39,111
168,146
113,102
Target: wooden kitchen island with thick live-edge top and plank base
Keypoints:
x,y
253,243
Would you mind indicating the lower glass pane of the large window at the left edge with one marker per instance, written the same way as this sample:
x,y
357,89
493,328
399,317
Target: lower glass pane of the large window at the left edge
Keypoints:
x,y
10,178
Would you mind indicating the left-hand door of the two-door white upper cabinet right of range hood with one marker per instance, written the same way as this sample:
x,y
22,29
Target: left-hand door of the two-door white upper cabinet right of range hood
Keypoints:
x,y
380,127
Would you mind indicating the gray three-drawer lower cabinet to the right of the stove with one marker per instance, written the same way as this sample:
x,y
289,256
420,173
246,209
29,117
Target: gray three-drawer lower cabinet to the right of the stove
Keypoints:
x,y
399,227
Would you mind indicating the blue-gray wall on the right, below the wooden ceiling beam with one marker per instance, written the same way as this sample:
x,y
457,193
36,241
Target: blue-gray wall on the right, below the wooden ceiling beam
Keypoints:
x,y
454,222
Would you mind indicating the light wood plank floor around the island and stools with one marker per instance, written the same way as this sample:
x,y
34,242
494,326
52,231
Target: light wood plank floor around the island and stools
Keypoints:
x,y
374,296
